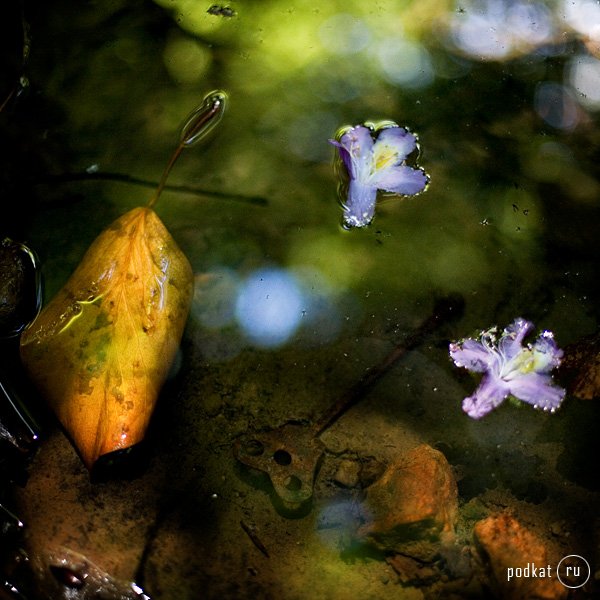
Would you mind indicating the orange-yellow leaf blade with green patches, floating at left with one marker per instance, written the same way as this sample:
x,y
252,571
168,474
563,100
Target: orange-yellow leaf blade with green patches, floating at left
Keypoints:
x,y
101,350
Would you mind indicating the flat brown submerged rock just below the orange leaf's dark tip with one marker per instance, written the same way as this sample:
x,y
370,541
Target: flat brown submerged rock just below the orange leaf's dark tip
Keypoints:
x,y
79,530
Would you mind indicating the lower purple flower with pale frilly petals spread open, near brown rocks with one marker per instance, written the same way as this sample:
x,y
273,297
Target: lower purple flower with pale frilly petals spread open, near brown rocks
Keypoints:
x,y
509,368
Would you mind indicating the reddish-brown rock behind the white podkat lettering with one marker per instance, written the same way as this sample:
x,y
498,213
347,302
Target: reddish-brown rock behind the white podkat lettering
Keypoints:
x,y
516,560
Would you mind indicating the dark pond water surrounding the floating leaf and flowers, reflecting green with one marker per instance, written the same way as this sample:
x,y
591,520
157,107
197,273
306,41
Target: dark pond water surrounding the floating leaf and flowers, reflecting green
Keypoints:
x,y
504,97
